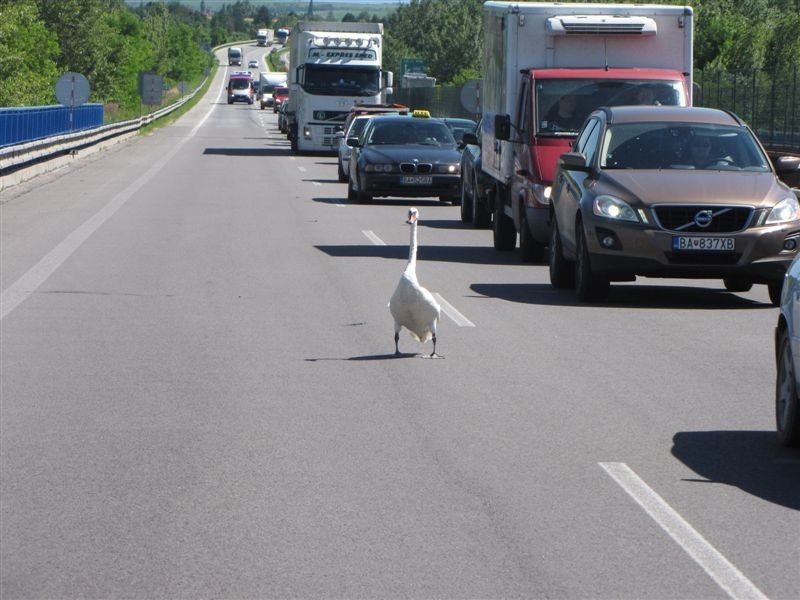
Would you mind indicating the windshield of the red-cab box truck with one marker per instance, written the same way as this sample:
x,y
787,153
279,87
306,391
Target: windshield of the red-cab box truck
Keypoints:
x,y
562,105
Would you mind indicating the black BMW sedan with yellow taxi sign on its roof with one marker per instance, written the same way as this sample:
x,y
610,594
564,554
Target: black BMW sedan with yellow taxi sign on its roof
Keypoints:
x,y
407,156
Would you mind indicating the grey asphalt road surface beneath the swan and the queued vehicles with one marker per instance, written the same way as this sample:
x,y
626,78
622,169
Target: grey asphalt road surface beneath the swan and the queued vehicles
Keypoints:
x,y
200,399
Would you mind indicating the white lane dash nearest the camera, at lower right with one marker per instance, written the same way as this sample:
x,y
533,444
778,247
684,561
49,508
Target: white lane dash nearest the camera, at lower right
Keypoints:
x,y
727,576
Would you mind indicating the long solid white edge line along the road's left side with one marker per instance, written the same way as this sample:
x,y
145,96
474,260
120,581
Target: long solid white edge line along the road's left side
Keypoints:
x,y
27,284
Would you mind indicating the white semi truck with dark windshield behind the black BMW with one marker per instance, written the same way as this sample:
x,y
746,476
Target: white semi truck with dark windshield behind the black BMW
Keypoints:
x,y
332,66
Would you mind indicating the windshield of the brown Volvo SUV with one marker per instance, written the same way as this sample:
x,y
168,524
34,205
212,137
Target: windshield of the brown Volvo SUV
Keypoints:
x,y
681,146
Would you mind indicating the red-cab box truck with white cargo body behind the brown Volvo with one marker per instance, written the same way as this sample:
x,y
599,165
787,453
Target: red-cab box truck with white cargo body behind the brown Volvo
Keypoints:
x,y
546,67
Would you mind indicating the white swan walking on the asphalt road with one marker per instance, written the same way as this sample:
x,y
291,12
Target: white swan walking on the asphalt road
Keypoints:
x,y
411,305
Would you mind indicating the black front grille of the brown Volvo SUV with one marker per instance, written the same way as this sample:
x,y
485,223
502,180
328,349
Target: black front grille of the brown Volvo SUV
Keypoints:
x,y
694,218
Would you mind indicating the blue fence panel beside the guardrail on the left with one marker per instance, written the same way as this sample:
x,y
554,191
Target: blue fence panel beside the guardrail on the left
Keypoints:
x,y
18,125
